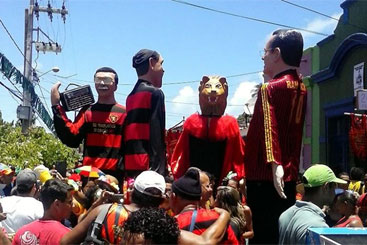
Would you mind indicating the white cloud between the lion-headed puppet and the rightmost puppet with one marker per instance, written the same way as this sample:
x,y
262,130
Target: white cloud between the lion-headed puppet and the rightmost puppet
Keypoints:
x,y
241,96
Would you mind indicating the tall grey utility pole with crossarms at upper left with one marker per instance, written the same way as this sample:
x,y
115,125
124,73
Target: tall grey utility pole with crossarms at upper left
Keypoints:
x,y
26,107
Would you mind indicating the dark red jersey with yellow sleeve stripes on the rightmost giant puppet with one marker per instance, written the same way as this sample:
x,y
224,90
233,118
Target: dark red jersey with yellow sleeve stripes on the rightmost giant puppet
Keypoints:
x,y
275,133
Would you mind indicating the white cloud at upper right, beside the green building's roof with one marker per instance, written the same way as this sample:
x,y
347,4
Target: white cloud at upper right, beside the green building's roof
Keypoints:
x,y
322,25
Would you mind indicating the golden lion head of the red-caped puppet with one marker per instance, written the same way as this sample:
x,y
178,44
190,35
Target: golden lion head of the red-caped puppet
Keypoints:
x,y
213,95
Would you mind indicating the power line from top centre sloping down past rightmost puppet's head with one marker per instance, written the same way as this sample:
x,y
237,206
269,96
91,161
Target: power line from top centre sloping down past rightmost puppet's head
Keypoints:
x,y
248,18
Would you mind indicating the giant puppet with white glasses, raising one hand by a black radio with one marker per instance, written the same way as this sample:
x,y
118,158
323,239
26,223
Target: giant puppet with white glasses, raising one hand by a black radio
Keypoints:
x,y
98,126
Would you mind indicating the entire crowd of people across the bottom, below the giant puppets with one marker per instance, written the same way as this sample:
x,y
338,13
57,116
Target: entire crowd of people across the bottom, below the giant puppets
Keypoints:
x,y
161,210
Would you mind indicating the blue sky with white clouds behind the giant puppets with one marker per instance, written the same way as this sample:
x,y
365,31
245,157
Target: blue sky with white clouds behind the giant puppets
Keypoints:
x,y
193,42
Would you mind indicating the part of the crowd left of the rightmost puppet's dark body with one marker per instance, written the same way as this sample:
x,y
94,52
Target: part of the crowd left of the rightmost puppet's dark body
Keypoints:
x,y
67,210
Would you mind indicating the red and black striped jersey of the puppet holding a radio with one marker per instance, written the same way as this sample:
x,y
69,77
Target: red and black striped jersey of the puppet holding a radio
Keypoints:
x,y
101,128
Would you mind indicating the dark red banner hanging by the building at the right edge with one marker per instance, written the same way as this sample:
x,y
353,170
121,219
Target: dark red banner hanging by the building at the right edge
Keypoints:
x,y
358,136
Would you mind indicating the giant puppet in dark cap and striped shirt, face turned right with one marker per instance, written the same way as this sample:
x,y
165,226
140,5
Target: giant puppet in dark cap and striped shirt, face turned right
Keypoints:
x,y
145,121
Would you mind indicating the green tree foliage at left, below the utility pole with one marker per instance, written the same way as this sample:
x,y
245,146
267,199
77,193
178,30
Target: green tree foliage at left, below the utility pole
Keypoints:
x,y
38,147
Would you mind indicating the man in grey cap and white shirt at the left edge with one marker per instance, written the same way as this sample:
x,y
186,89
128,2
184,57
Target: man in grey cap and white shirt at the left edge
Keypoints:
x,y
22,208
